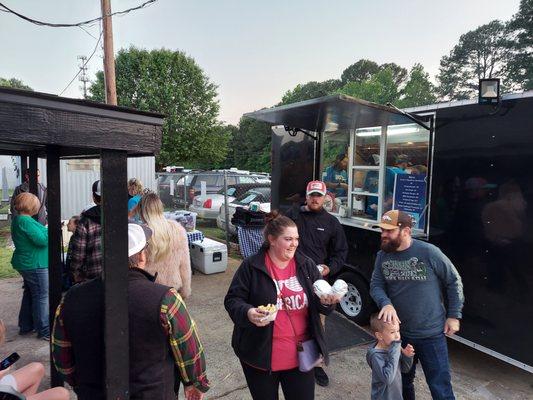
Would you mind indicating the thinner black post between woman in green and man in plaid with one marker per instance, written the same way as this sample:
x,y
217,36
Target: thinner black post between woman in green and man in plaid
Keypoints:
x,y
55,245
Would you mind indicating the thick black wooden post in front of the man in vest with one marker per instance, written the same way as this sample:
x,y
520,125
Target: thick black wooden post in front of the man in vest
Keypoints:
x,y
113,174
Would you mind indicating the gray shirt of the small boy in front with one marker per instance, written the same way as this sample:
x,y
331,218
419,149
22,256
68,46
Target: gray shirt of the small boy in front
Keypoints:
x,y
387,366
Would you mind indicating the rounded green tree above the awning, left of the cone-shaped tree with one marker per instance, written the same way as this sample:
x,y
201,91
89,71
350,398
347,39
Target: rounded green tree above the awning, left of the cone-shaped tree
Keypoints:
x,y
381,88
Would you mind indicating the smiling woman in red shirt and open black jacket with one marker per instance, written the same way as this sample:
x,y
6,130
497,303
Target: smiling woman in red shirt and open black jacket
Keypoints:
x,y
268,351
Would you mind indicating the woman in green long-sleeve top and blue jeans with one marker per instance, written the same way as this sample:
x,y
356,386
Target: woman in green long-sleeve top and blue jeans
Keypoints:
x,y
30,259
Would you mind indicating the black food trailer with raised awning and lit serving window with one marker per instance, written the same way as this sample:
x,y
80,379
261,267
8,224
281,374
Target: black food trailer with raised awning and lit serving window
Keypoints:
x,y
464,172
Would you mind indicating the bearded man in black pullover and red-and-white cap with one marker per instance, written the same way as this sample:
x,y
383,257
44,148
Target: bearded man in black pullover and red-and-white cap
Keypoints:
x,y
322,239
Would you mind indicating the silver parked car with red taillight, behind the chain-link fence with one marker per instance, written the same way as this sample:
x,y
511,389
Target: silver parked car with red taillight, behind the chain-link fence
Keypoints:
x,y
208,206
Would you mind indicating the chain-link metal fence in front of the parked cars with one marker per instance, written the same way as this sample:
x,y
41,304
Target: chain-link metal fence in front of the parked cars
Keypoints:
x,y
213,197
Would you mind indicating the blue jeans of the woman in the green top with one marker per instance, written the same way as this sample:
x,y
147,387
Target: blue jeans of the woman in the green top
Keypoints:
x,y
34,310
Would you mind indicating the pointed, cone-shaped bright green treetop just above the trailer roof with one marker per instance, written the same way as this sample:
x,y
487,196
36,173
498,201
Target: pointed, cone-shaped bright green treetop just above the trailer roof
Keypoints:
x,y
418,90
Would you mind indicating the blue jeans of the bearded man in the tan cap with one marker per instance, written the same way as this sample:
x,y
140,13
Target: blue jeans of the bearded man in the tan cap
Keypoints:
x,y
433,355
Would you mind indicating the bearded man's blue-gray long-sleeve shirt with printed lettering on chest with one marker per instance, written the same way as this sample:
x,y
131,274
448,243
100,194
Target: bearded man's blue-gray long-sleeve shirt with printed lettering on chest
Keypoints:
x,y
417,281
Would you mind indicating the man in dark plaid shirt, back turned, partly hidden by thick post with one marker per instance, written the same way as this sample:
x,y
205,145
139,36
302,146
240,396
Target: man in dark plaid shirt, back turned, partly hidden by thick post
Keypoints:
x,y
85,247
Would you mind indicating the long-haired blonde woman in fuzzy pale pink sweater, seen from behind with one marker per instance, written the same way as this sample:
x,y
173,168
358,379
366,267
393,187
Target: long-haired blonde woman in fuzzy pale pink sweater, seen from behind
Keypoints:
x,y
168,249
